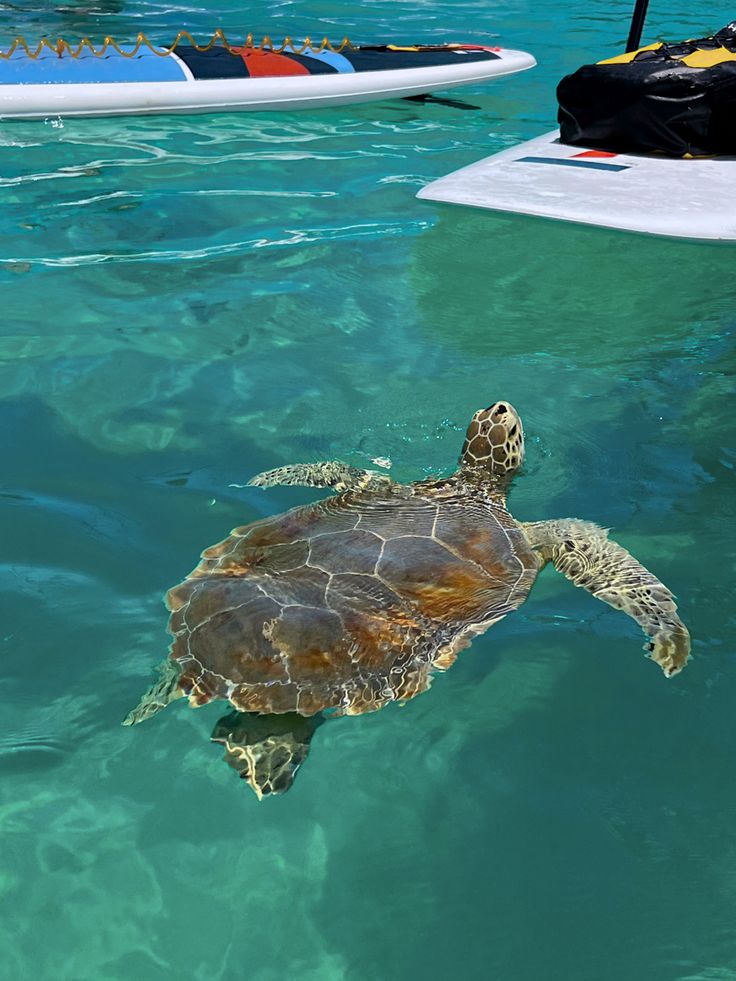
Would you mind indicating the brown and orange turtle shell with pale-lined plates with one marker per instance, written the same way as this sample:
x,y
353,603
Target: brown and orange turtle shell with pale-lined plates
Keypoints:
x,y
348,603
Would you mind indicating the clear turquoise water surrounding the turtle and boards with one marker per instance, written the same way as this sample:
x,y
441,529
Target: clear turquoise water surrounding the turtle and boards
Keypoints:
x,y
189,301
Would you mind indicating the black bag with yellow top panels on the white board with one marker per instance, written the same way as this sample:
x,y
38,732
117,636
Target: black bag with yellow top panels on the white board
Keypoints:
x,y
679,99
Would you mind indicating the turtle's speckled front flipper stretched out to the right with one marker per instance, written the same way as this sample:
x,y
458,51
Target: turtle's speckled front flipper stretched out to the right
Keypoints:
x,y
583,552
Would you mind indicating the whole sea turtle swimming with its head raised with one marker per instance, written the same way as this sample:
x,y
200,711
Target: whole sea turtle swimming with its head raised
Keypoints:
x,y
349,603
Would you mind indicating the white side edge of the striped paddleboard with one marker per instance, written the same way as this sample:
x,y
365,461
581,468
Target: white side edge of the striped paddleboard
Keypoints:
x,y
190,95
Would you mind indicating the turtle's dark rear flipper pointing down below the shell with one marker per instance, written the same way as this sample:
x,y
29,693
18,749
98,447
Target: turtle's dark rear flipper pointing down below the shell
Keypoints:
x,y
266,750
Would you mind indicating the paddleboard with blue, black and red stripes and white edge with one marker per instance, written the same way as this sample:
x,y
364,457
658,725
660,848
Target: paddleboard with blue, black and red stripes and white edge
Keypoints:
x,y
113,79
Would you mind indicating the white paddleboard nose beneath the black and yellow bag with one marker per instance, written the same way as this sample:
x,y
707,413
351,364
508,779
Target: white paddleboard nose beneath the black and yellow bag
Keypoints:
x,y
652,194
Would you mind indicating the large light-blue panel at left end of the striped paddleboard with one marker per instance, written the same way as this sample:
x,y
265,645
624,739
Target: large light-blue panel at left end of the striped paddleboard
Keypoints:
x,y
49,68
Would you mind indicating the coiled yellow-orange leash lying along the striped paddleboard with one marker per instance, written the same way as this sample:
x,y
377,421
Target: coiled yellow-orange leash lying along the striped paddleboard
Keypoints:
x,y
62,47
